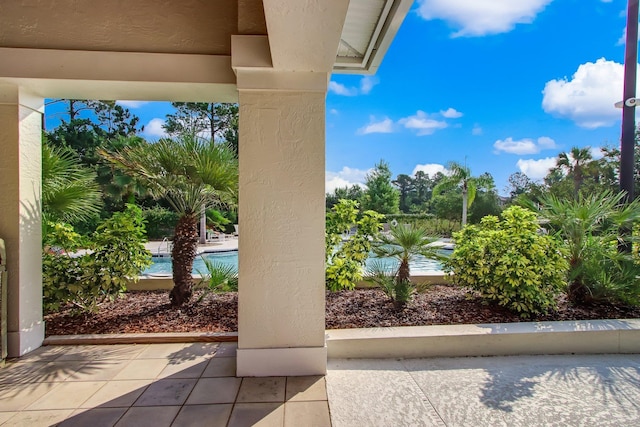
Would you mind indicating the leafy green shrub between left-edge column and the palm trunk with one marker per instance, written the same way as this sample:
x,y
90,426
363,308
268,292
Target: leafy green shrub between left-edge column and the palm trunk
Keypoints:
x,y
116,254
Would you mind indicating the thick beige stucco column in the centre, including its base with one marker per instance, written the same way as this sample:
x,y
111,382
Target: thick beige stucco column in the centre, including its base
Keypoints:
x,y
282,217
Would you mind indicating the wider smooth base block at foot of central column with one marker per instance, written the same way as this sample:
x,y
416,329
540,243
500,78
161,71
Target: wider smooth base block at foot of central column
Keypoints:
x,y
281,362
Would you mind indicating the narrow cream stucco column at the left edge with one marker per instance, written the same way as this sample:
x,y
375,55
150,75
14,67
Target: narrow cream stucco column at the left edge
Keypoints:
x,y
20,222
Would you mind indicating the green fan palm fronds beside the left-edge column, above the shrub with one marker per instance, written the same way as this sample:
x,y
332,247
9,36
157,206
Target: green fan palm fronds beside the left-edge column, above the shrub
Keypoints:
x,y
69,190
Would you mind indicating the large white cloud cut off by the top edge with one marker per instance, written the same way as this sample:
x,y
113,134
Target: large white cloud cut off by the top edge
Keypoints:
x,y
482,17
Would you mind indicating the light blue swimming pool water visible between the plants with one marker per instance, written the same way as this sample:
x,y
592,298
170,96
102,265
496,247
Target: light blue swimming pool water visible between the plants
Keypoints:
x,y
162,265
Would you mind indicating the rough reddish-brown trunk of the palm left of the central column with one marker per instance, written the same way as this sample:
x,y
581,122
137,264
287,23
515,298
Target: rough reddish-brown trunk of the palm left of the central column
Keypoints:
x,y
185,245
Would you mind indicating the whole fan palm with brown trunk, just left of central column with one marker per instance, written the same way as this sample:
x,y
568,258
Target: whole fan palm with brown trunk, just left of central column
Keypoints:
x,y
189,173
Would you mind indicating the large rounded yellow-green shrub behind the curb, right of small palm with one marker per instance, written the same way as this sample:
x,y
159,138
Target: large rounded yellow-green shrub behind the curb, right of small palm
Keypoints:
x,y
509,262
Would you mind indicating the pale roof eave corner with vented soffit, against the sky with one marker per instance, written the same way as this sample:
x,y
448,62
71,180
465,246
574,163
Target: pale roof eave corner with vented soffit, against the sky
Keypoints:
x,y
370,27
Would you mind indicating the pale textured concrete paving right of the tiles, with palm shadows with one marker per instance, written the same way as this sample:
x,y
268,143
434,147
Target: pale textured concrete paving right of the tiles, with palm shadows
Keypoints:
x,y
591,390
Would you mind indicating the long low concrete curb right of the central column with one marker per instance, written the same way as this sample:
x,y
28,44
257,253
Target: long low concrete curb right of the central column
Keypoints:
x,y
498,339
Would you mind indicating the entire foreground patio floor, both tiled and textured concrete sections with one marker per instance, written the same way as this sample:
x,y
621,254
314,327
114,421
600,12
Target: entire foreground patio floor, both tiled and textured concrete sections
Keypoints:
x,y
194,385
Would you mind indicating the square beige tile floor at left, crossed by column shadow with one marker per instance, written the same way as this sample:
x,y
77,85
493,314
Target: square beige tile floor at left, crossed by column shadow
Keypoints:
x,y
152,385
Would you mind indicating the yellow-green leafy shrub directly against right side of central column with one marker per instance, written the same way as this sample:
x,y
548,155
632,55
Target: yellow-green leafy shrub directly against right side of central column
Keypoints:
x,y
346,260
